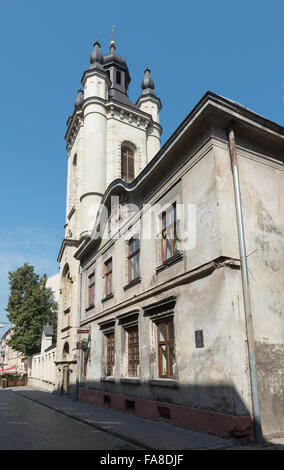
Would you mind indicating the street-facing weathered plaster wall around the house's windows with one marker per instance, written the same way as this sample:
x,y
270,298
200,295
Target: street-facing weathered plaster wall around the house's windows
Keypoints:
x,y
214,377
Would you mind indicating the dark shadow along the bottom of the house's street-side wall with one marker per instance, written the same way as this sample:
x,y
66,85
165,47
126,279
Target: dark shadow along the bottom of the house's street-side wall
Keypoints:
x,y
217,410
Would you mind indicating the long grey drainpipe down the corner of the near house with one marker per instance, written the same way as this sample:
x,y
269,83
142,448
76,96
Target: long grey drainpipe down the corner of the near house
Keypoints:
x,y
246,290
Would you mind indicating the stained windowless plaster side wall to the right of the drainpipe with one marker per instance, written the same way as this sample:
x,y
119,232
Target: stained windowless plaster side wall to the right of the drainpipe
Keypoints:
x,y
262,187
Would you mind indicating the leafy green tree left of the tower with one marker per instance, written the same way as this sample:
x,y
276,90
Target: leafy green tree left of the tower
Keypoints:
x,y
30,306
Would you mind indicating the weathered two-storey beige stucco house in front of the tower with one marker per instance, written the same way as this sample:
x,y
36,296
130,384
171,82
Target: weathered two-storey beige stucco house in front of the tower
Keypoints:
x,y
200,288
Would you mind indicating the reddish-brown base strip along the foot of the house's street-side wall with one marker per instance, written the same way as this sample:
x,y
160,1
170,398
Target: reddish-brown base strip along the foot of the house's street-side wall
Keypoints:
x,y
219,424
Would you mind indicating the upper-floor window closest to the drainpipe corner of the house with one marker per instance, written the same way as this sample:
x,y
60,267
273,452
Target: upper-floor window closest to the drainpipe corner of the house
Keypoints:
x,y
169,236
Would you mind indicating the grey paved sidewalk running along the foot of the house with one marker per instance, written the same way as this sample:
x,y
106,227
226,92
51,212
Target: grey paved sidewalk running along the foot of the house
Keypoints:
x,y
146,434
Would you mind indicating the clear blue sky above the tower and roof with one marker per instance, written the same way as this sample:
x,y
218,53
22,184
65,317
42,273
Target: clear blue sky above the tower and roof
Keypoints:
x,y
234,49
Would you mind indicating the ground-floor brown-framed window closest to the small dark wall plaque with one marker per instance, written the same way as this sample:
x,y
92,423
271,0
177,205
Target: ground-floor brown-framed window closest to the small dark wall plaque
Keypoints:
x,y
166,356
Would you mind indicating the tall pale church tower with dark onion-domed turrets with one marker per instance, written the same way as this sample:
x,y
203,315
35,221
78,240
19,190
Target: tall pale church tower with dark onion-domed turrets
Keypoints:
x,y
107,137
